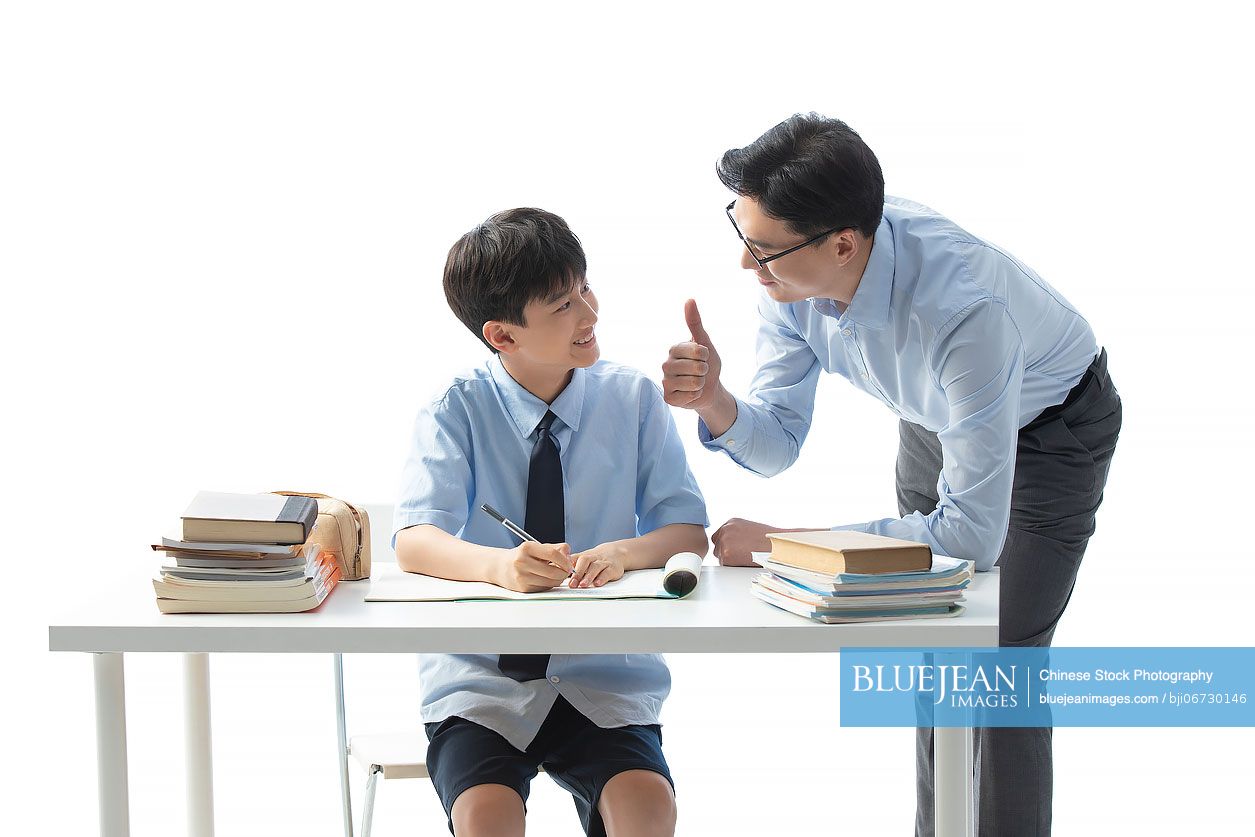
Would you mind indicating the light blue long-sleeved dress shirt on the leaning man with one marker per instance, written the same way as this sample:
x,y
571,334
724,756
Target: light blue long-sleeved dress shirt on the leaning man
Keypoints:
x,y
952,334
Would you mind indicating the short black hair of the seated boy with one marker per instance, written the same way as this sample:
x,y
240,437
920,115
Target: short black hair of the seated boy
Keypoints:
x,y
510,260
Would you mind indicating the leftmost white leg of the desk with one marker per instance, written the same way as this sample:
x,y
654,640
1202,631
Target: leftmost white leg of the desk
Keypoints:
x,y
111,746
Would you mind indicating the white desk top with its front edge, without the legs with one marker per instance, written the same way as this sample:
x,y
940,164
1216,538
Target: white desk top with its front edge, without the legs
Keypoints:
x,y
721,617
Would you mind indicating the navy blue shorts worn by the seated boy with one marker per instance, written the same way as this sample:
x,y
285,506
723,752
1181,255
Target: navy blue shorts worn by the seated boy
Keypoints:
x,y
580,756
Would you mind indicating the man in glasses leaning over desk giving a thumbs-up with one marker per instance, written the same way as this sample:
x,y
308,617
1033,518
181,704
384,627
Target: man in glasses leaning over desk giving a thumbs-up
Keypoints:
x,y
1008,418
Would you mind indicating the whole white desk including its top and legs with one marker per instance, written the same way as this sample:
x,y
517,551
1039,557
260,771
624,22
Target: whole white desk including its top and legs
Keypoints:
x,y
721,617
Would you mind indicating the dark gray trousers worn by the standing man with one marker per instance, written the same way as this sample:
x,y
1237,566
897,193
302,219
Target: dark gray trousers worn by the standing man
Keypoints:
x,y
1061,469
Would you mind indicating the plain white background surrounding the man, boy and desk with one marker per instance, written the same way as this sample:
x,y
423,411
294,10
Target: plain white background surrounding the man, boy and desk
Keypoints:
x,y
222,237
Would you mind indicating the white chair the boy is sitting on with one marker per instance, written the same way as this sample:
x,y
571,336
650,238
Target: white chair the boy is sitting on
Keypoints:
x,y
392,756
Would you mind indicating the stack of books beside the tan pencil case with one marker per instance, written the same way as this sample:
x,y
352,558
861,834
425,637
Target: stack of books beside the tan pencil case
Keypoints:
x,y
245,554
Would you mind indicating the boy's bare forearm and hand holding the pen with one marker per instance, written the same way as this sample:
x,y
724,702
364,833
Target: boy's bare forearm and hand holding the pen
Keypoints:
x,y
529,568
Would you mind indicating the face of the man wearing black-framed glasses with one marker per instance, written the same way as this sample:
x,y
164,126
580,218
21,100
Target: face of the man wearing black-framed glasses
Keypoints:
x,y
801,275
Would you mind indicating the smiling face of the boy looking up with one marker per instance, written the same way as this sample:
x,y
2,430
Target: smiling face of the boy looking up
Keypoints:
x,y
560,331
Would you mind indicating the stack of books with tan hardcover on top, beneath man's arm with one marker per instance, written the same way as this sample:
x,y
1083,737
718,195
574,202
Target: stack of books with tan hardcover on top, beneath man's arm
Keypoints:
x,y
858,578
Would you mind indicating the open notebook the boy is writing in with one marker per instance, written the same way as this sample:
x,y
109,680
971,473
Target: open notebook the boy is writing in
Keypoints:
x,y
676,580
